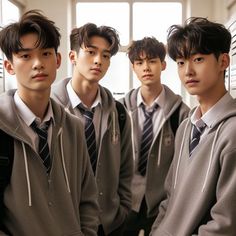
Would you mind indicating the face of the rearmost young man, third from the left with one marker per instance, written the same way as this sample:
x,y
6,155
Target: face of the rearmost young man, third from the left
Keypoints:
x,y
148,71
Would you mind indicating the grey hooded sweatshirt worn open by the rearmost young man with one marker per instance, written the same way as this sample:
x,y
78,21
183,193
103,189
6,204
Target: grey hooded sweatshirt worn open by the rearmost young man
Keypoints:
x,y
161,151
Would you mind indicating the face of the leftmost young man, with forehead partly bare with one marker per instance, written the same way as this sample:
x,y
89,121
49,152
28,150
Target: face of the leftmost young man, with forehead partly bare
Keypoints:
x,y
35,68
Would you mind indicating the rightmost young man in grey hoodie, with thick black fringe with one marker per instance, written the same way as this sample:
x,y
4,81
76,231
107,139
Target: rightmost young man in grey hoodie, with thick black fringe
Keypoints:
x,y
201,182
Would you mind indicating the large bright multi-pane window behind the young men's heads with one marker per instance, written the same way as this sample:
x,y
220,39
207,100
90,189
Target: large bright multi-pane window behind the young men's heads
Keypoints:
x,y
132,20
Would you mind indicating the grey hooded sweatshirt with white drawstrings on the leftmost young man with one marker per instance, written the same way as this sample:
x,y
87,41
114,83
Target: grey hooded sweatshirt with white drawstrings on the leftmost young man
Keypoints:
x,y
60,203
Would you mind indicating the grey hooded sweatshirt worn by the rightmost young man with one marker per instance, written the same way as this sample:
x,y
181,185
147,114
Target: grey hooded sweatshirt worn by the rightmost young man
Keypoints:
x,y
201,189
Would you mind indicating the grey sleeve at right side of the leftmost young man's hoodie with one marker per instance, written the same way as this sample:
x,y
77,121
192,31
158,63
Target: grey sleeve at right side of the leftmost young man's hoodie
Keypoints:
x,y
88,205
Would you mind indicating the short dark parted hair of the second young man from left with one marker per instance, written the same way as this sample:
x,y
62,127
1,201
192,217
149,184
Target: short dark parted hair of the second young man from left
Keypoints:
x,y
81,36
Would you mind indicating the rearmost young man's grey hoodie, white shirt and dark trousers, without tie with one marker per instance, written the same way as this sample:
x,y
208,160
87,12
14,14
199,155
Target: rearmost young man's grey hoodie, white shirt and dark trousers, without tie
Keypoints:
x,y
148,191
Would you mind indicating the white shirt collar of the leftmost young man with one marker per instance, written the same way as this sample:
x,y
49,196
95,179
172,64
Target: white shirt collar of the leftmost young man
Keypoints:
x,y
27,115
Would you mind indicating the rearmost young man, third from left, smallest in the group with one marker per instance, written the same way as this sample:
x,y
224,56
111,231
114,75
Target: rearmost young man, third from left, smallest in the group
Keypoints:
x,y
156,113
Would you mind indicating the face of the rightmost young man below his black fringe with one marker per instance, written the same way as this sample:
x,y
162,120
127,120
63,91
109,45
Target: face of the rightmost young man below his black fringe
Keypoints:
x,y
203,75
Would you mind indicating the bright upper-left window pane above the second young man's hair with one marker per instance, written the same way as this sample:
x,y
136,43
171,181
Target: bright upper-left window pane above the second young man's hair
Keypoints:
x,y
105,14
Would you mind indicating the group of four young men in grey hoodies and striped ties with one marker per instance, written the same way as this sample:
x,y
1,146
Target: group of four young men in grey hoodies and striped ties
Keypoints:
x,y
85,177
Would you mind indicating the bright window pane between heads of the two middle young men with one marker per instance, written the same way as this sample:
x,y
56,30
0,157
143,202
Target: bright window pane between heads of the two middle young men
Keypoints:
x,y
117,76
